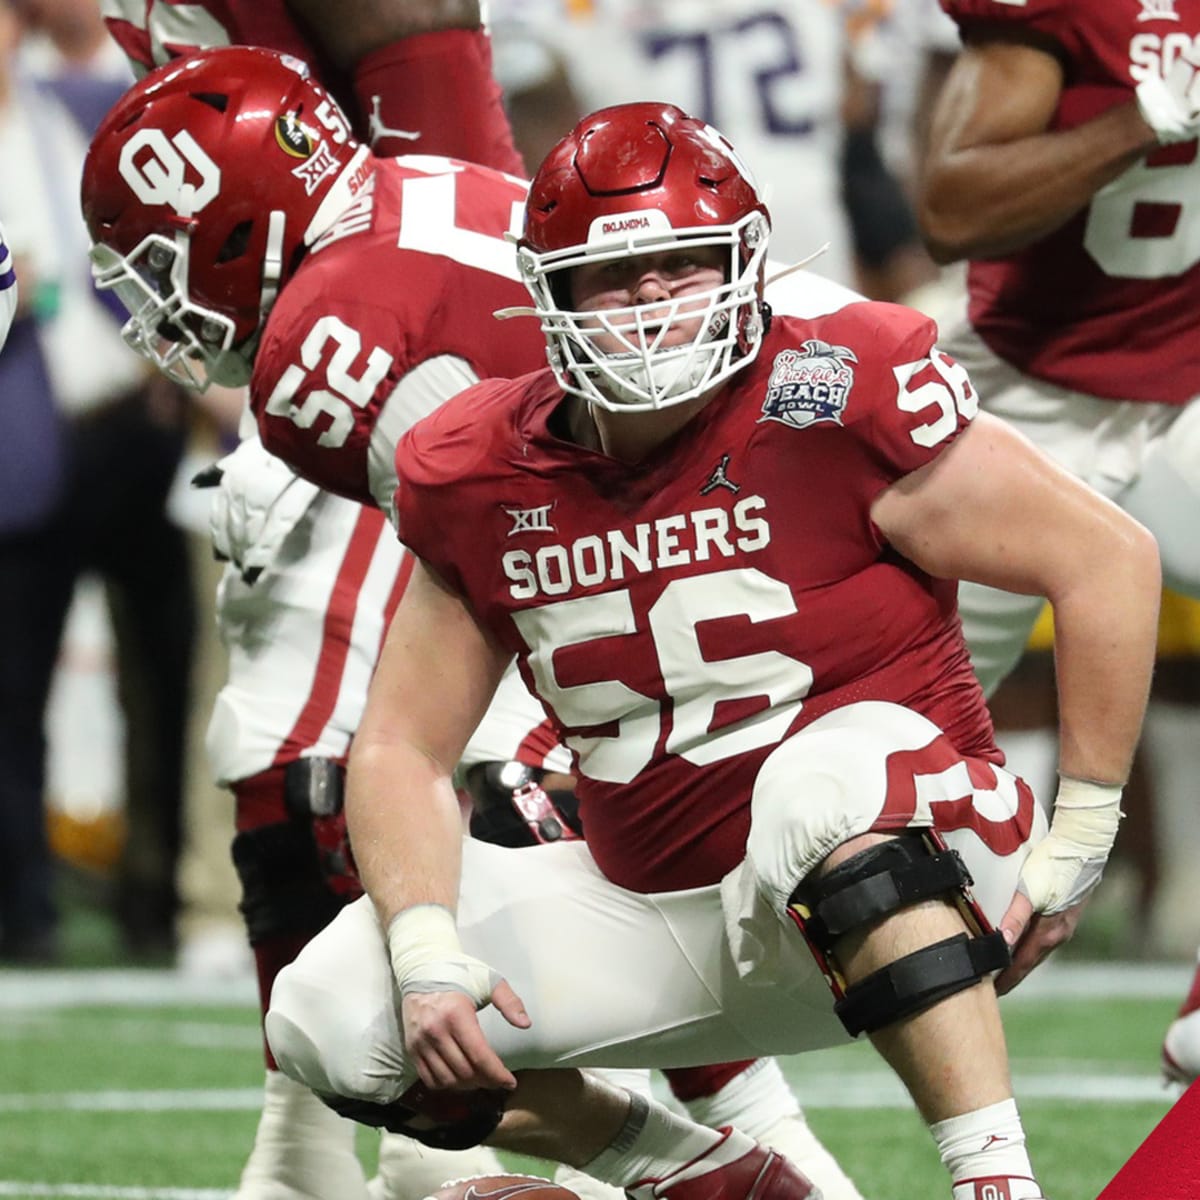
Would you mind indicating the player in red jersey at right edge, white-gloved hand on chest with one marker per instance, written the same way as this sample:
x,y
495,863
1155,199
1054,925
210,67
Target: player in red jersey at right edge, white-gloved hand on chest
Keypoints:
x,y
1063,163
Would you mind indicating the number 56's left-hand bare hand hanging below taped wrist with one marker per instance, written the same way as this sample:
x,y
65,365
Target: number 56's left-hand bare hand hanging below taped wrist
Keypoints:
x,y
446,1043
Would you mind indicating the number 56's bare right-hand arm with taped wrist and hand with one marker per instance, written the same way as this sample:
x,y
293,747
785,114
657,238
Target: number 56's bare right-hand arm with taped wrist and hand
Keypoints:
x,y
995,511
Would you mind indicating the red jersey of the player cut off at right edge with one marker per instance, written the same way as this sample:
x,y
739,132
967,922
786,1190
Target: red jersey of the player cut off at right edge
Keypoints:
x,y
1103,305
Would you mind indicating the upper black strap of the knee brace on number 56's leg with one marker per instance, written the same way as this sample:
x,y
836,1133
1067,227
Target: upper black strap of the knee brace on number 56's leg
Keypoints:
x,y
875,883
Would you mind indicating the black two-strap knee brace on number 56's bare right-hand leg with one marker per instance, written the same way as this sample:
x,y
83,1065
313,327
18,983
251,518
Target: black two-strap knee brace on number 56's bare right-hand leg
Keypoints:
x,y
868,887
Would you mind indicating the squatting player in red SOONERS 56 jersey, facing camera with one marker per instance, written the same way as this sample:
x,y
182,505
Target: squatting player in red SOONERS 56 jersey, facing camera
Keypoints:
x,y
722,545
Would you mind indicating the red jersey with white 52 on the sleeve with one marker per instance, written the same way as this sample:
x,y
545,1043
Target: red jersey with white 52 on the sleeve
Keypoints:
x,y
412,273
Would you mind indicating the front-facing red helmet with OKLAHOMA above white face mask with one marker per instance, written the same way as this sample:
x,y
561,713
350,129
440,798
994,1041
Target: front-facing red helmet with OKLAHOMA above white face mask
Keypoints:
x,y
639,179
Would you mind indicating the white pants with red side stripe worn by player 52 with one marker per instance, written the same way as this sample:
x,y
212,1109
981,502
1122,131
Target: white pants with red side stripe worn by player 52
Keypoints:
x,y
304,639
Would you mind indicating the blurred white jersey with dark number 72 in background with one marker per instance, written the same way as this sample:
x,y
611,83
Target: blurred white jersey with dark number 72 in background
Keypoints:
x,y
770,76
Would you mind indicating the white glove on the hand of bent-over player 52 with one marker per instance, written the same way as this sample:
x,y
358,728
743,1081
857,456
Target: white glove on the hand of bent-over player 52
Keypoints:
x,y
259,502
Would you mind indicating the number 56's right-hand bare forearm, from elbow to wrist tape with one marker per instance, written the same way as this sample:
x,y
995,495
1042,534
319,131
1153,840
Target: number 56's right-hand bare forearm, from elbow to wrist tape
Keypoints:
x,y
1106,632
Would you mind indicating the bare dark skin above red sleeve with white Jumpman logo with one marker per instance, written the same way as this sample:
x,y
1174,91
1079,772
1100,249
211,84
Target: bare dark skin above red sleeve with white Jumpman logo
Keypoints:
x,y
353,28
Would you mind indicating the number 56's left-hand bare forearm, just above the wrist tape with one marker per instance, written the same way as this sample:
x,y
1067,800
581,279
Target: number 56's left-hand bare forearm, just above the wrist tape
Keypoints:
x,y
405,825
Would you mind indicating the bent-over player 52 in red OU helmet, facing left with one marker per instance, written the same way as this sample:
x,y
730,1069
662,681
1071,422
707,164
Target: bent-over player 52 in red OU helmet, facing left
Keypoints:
x,y
206,190
